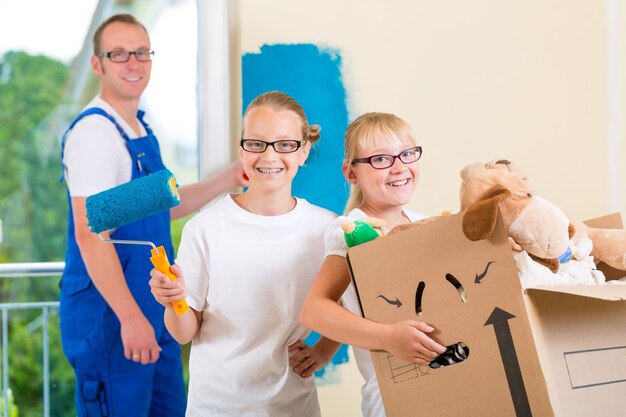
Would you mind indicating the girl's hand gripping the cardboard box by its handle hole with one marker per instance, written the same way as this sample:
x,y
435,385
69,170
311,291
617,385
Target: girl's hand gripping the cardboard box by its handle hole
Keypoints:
x,y
409,341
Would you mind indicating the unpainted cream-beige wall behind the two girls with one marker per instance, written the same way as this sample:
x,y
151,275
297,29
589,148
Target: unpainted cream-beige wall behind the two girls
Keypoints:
x,y
521,80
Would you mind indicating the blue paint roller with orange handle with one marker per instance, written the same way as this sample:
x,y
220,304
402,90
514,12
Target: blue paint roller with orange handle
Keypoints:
x,y
120,205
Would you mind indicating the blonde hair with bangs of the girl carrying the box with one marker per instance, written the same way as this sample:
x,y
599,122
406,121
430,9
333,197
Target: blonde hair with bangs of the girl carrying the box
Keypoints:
x,y
371,130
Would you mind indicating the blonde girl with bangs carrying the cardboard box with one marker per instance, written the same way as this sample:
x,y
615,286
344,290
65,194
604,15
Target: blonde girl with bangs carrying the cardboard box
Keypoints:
x,y
381,164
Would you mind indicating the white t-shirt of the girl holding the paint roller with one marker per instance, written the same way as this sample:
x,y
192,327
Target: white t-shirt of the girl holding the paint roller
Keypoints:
x,y
248,275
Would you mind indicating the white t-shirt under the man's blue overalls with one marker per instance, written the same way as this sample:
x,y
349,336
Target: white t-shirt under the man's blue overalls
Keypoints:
x,y
96,157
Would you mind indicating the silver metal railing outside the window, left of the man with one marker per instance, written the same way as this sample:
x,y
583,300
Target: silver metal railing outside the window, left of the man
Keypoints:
x,y
21,270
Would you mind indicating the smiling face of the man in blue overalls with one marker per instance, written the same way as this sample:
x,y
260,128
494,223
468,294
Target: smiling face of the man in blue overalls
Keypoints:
x,y
125,80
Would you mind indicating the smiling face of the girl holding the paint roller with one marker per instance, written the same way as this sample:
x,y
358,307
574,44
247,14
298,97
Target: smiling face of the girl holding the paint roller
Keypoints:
x,y
271,171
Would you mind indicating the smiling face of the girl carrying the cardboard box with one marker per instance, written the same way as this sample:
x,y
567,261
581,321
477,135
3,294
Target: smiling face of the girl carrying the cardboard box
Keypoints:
x,y
388,188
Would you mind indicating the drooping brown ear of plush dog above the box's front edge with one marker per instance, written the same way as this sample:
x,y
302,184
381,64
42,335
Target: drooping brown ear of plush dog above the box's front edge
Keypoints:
x,y
479,219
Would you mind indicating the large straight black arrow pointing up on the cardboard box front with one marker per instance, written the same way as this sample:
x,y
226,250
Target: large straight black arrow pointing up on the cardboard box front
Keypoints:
x,y
500,321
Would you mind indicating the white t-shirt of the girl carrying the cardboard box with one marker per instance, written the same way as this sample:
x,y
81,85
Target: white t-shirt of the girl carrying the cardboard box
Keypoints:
x,y
371,403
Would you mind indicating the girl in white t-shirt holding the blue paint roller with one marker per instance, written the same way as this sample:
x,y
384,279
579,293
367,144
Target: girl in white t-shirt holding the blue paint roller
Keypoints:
x,y
248,262
